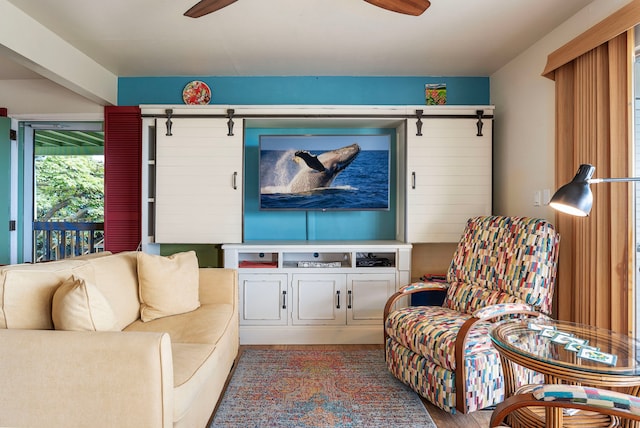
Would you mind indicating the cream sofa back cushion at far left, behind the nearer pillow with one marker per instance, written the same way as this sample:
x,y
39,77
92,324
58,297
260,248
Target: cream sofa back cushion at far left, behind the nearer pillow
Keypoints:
x,y
26,293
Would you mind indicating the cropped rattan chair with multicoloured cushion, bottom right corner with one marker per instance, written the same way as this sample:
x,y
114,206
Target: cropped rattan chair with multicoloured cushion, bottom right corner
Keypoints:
x,y
571,397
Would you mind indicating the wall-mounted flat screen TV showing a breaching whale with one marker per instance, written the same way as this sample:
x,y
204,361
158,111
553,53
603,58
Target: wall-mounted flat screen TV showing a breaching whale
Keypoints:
x,y
325,172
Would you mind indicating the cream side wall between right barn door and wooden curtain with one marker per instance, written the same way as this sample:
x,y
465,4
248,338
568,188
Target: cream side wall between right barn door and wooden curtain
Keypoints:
x,y
524,133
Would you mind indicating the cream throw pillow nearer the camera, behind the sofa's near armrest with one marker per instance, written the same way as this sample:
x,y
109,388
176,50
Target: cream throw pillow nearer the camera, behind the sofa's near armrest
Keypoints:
x,y
78,305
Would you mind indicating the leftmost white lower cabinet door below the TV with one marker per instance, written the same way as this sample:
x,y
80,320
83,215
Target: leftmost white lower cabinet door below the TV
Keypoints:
x,y
263,299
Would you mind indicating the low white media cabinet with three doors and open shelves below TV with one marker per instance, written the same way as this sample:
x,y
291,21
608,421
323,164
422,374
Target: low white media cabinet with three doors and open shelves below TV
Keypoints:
x,y
316,292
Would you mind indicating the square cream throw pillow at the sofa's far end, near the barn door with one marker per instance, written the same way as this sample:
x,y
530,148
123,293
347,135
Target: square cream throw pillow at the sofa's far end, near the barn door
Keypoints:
x,y
168,285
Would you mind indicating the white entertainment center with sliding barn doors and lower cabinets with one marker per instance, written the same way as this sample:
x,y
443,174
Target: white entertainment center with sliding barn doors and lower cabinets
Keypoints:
x,y
312,291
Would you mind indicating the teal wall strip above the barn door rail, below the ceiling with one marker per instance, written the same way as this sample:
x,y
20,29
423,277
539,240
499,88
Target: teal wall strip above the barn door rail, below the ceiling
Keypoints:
x,y
309,90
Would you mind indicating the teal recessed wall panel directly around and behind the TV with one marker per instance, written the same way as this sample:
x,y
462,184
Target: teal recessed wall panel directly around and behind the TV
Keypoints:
x,y
312,225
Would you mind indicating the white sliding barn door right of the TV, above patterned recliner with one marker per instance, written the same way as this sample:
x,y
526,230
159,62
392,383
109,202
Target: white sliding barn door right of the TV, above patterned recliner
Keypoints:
x,y
448,178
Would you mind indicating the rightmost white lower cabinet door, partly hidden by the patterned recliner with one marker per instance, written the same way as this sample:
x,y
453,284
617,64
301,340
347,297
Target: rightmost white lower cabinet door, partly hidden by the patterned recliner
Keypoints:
x,y
367,294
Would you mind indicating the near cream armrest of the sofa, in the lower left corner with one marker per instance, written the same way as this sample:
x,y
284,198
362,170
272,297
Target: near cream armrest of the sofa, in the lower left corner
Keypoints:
x,y
64,378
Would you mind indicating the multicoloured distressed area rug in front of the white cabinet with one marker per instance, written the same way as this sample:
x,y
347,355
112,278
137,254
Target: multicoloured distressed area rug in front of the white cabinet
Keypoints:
x,y
310,388
